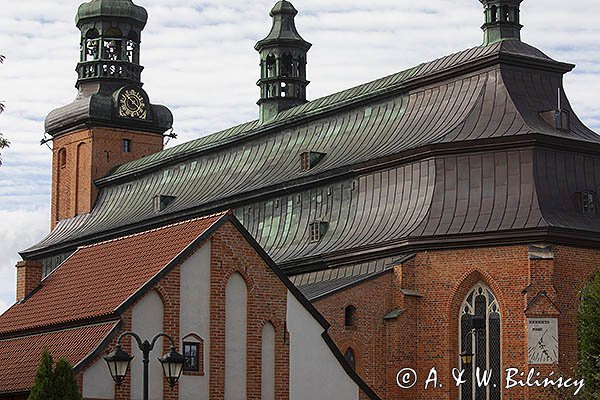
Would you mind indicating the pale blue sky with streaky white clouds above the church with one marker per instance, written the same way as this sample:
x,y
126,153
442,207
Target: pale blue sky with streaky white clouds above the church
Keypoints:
x,y
200,61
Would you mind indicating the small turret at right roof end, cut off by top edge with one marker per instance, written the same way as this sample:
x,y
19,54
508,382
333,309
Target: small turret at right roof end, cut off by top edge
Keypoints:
x,y
502,20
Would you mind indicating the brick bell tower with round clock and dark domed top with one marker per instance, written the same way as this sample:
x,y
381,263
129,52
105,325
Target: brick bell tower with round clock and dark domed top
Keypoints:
x,y
111,120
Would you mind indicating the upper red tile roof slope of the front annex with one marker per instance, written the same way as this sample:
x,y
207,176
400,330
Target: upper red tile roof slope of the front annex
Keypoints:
x,y
97,279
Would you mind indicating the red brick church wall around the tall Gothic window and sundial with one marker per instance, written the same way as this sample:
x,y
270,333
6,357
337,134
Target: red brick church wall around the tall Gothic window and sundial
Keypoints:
x,y
428,291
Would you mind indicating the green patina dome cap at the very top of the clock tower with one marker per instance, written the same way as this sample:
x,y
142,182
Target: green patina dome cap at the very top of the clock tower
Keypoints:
x,y
111,8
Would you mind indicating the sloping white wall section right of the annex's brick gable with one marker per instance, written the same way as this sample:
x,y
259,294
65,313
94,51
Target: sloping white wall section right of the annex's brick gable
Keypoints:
x,y
315,373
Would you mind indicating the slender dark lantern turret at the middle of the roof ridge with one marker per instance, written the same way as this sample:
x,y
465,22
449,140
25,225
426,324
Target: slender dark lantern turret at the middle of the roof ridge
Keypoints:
x,y
282,64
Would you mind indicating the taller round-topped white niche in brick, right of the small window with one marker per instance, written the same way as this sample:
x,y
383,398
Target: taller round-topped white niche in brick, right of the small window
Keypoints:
x,y
235,338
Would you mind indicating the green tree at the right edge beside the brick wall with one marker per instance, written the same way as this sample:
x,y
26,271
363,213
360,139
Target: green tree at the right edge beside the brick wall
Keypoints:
x,y
588,337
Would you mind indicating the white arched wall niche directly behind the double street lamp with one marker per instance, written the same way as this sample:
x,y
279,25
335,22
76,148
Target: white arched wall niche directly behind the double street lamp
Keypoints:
x,y
147,321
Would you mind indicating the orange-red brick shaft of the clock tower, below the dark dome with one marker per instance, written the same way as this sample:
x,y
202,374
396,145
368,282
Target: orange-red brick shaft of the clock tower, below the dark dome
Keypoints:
x,y
81,157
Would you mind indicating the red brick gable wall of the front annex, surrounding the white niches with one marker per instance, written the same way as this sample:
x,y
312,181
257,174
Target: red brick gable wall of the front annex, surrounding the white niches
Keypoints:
x,y
267,302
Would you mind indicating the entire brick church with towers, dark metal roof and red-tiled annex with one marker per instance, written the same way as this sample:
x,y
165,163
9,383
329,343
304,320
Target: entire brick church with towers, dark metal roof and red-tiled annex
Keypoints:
x,y
440,219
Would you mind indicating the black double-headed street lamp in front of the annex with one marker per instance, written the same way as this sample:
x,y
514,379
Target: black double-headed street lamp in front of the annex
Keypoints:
x,y
119,360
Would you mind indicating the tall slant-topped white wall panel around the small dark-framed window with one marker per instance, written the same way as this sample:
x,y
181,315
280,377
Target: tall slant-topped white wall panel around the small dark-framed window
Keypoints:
x,y
195,318
